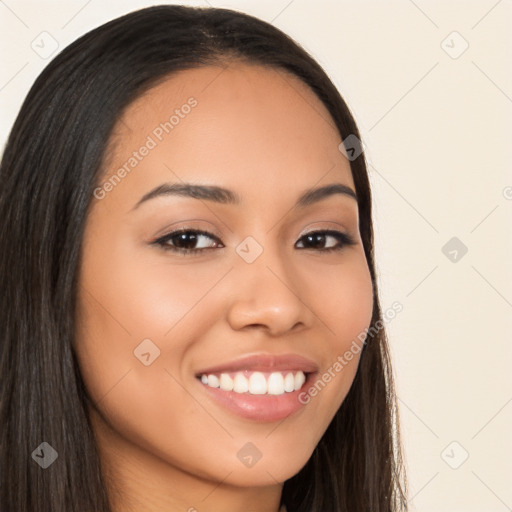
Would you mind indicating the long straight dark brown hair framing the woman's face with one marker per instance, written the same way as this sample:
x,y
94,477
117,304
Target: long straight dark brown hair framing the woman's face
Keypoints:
x,y
49,169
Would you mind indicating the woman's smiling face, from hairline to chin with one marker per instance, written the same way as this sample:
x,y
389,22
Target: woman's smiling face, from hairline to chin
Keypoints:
x,y
152,320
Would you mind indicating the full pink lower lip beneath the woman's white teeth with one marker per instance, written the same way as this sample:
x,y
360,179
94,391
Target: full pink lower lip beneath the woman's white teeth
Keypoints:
x,y
259,407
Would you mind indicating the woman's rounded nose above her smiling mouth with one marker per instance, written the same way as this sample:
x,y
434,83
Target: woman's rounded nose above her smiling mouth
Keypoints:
x,y
268,294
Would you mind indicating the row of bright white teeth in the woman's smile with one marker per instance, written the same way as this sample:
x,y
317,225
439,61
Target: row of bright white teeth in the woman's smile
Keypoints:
x,y
275,383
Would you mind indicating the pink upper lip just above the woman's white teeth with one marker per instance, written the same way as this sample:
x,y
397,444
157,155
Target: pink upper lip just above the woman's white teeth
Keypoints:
x,y
264,363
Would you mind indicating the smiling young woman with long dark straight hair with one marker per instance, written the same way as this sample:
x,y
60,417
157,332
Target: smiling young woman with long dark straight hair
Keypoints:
x,y
190,311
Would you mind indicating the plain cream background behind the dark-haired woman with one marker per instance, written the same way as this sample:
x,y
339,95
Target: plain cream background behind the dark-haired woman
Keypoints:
x,y
437,126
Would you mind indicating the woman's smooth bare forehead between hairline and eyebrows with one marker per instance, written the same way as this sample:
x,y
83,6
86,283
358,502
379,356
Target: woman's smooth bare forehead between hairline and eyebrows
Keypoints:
x,y
249,126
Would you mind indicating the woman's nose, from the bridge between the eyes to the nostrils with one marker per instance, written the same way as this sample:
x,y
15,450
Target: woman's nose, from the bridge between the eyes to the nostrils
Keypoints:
x,y
267,289
